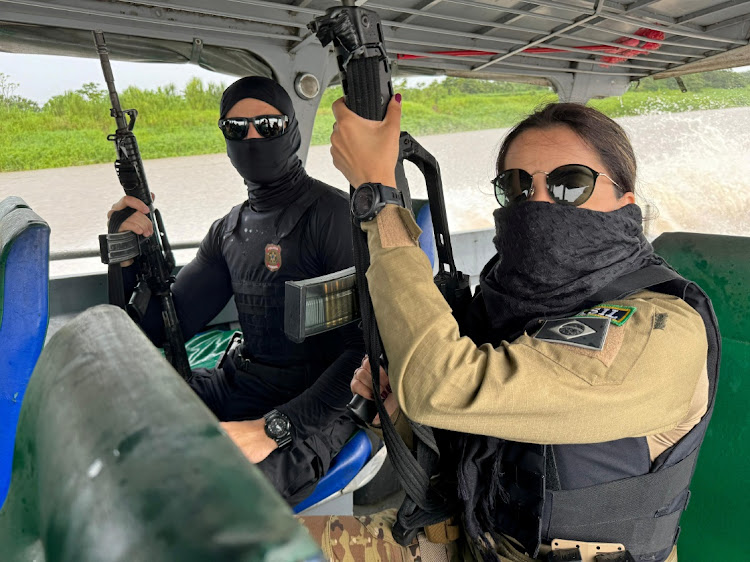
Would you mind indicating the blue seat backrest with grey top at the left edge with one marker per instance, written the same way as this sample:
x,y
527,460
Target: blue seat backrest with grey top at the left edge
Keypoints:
x,y
24,313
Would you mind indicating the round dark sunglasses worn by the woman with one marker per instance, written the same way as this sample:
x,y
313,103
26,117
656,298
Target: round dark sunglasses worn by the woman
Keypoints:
x,y
571,184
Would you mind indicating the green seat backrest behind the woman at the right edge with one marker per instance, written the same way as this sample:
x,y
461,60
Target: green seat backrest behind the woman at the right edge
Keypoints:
x,y
715,523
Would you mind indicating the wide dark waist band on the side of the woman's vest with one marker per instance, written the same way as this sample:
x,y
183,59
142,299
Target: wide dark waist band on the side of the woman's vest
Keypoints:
x,y
642,513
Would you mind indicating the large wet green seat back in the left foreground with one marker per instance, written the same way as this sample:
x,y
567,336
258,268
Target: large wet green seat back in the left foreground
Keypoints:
x,y
131,466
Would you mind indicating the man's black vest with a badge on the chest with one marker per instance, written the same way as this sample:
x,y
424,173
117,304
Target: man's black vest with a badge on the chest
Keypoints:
x,y
263,251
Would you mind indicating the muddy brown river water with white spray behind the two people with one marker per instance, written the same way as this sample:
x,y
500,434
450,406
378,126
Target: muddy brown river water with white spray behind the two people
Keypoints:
x,y
694,175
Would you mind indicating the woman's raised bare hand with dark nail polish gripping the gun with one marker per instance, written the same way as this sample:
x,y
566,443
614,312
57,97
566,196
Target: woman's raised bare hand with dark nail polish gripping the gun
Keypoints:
x,y
364,150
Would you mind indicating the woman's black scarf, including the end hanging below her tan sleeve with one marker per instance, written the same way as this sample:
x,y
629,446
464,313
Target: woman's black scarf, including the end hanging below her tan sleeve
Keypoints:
x,y
551,260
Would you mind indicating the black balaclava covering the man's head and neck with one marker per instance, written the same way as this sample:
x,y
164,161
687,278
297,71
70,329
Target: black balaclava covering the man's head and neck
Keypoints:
x,y
273,172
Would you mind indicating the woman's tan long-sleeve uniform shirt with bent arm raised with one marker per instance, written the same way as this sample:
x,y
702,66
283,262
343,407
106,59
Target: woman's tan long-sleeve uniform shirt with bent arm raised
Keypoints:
x,y
649,379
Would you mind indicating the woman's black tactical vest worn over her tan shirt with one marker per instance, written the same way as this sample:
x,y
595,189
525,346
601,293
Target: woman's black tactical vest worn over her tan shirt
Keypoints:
x,y
554,491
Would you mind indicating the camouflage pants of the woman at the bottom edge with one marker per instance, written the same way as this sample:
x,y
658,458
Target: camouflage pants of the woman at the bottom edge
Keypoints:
x,y
368,538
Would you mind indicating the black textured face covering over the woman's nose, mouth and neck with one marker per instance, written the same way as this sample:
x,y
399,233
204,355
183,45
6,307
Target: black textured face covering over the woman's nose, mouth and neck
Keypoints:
x,y
551,258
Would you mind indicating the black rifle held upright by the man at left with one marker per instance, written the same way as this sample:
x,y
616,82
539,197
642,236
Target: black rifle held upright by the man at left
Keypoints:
x,y
153,255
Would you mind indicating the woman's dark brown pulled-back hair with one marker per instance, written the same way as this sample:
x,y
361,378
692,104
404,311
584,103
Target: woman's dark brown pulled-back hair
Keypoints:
x,y
597,130
